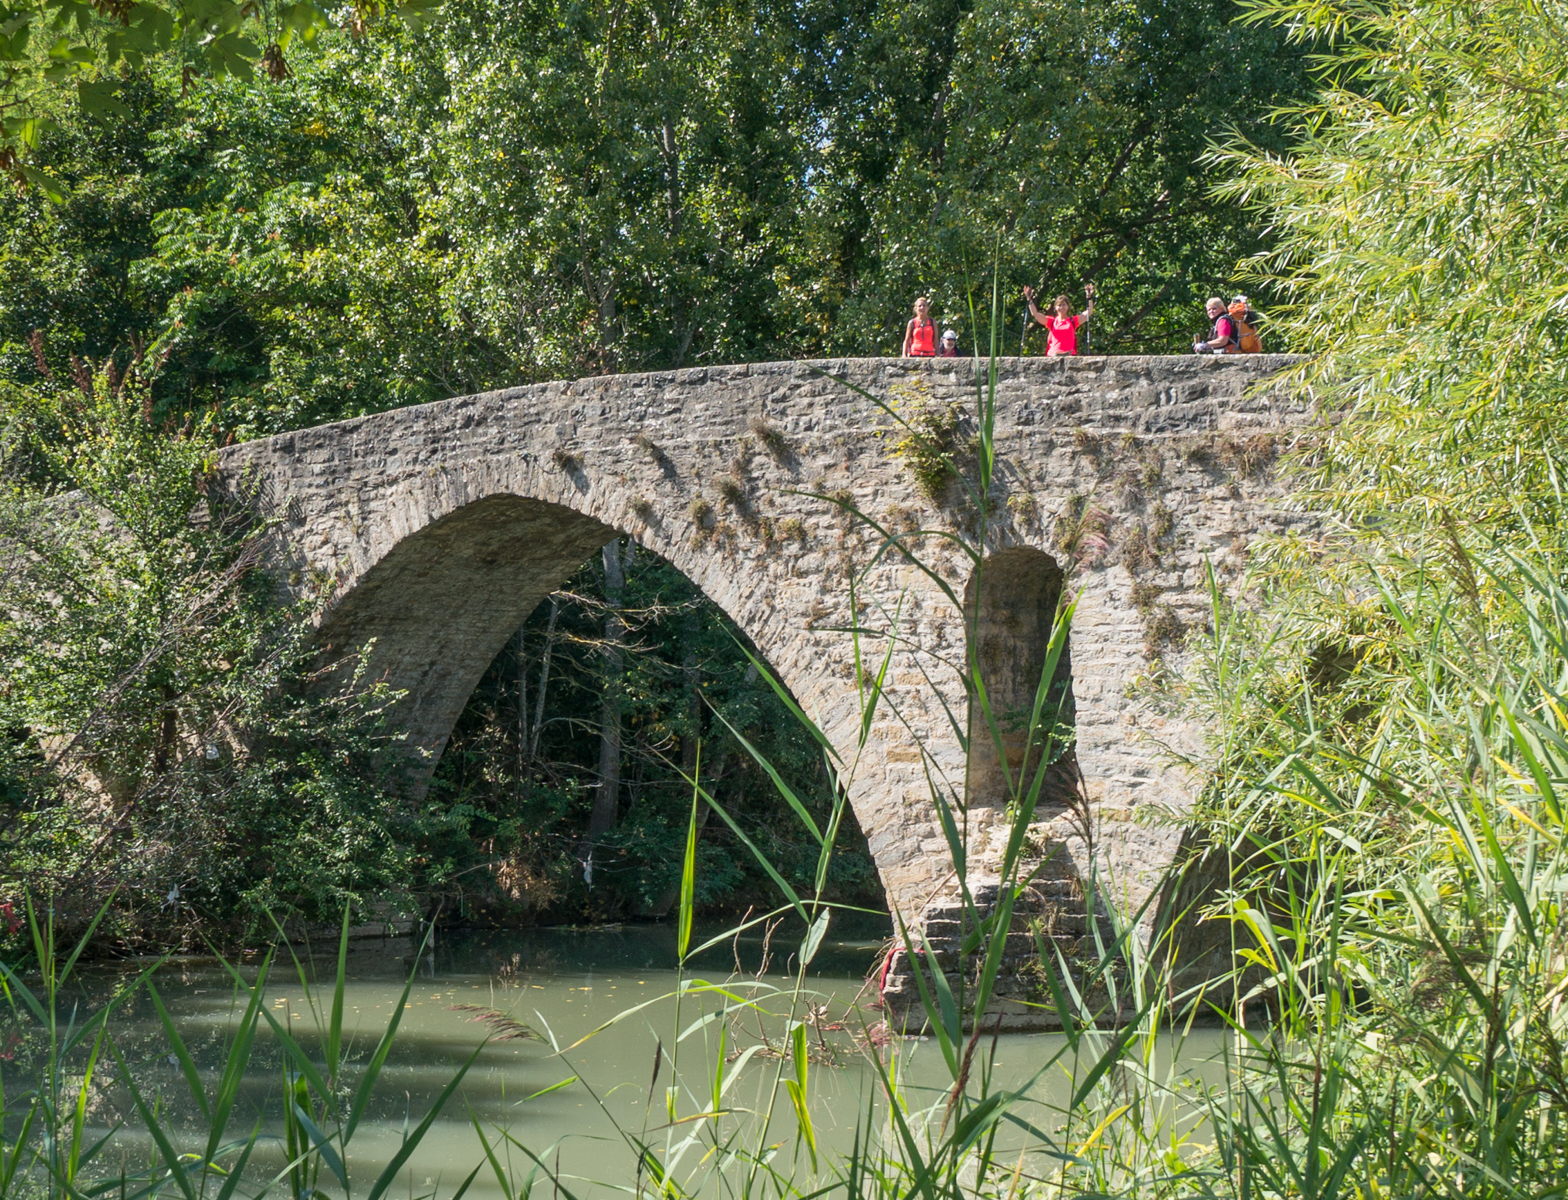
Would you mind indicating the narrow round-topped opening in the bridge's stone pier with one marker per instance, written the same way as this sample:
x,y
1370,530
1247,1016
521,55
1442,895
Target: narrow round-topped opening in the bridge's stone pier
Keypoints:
x,y
1011,606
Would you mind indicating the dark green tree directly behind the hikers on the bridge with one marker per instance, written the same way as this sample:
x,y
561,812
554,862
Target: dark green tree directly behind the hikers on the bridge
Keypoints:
x,y
1062,145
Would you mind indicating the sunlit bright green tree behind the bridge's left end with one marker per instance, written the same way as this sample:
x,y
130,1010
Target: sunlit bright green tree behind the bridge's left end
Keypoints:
x,y
264,239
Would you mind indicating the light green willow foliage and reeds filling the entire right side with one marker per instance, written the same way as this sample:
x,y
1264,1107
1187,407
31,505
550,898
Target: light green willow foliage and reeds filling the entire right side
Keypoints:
x,y
1385,769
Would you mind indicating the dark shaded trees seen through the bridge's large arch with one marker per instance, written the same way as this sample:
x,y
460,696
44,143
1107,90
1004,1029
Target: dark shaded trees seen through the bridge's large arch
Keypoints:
x,y
517,780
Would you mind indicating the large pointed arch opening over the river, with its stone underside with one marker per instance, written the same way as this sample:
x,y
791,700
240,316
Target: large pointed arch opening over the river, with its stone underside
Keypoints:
x,y
561,678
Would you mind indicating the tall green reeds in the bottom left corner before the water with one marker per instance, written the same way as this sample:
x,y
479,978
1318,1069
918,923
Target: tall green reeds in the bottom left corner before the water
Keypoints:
x,y
54,1147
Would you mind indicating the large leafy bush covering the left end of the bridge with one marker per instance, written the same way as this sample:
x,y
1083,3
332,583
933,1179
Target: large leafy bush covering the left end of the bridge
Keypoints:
x,y
161,741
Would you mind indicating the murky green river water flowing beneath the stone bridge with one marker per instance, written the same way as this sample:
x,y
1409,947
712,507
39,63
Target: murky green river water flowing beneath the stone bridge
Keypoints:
x,y
565,984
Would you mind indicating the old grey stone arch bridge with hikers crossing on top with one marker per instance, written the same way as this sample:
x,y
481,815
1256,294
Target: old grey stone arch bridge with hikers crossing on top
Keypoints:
x,y
441,528
